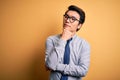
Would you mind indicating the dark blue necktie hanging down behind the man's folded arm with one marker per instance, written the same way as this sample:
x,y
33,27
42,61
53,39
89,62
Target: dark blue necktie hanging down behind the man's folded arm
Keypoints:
x,y
66,58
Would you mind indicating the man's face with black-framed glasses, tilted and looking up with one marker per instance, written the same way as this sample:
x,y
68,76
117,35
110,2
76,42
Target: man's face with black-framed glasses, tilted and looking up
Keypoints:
x,y
71,21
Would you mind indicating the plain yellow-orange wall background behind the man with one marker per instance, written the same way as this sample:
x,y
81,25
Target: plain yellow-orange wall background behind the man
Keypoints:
x,y
25,25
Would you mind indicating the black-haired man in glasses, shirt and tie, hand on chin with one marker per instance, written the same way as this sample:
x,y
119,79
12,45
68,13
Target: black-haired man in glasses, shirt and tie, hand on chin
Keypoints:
x,y
67,55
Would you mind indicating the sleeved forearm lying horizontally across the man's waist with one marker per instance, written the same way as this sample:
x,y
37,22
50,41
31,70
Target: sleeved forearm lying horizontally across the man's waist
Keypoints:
x,y
73,70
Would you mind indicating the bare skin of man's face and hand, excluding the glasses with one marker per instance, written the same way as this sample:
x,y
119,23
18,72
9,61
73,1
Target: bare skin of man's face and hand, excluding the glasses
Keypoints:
x,y
69,29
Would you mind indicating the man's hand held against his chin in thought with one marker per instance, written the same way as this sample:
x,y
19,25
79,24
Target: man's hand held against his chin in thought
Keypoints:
x,y
66,34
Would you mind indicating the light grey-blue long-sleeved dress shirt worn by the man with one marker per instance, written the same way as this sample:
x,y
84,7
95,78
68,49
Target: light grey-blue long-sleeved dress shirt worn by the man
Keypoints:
x,y
79,58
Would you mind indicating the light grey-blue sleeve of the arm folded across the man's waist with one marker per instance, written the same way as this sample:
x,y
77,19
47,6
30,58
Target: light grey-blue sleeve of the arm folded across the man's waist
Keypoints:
x,y
77,70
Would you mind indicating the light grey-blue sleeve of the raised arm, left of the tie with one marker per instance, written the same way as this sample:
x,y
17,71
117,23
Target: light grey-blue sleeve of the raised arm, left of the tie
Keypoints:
x,y
54,52
